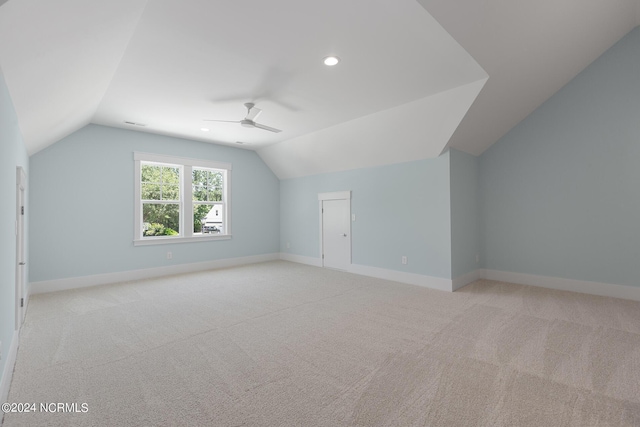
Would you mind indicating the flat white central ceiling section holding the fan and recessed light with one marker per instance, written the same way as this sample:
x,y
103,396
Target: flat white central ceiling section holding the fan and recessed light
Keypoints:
x,y
192,60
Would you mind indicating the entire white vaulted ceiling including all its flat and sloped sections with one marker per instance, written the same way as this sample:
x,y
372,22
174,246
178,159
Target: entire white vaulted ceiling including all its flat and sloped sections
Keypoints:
x,y
415,76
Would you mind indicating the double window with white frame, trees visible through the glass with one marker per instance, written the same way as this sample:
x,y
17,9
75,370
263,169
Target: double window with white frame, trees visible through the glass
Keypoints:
x,y
180,200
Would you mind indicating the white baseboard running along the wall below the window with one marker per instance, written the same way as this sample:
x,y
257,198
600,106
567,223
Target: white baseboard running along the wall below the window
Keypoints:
x,y
125,276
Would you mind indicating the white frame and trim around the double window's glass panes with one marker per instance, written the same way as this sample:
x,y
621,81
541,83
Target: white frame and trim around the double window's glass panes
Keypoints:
x,y
186,199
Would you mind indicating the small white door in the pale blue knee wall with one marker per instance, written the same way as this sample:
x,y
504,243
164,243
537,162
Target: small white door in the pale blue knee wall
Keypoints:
x,y
336,234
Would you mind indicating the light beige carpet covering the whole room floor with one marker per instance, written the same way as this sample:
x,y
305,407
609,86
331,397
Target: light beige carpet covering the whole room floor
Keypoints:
x,y
282,344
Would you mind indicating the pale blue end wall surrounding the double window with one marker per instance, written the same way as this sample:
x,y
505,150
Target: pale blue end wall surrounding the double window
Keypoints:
x,y
83,205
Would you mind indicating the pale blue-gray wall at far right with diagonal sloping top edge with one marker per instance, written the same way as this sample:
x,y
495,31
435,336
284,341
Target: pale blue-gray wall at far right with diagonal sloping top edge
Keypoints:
x,y
560,193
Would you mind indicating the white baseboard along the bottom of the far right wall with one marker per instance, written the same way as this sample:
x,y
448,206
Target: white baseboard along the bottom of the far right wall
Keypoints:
x,y
585,287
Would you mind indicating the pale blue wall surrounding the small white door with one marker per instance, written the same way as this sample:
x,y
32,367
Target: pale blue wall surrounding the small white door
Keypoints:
x,y
401,209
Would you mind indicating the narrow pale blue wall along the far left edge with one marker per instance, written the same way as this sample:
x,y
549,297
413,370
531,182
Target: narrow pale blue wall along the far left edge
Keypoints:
x,y
12,155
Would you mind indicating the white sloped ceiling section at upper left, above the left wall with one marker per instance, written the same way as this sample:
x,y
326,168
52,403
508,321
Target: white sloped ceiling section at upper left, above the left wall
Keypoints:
x,y
58,58
